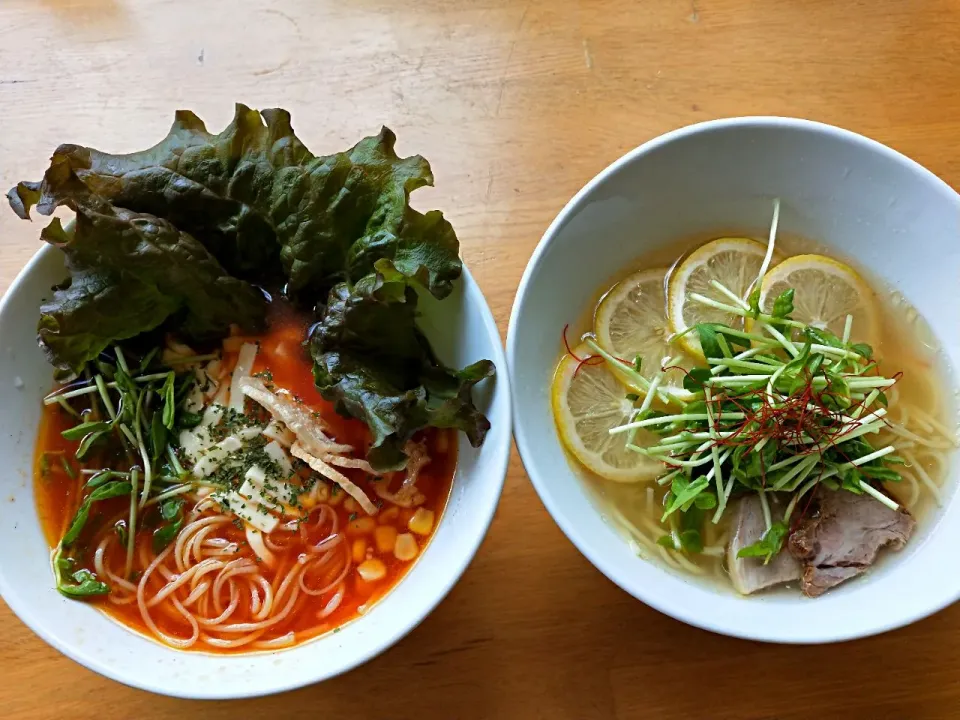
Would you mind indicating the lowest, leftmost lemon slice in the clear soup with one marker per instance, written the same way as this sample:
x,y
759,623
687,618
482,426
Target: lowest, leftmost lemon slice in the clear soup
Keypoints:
x,y
586,404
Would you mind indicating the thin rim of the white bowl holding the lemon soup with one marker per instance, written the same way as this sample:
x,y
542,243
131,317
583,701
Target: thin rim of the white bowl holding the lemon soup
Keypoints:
x,y
527,451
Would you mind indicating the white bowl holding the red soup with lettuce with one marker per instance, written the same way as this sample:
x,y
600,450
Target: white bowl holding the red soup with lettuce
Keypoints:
x,y
462,330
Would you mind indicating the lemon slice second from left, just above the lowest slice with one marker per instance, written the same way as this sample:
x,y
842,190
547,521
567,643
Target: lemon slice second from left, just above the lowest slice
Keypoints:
x,y
631,321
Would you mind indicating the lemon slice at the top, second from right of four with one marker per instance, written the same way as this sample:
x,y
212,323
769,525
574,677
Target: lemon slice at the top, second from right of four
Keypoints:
x,y
734,262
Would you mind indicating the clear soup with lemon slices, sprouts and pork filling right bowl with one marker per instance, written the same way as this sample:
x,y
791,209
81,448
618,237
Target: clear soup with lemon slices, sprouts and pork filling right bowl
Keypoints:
x,y
794,450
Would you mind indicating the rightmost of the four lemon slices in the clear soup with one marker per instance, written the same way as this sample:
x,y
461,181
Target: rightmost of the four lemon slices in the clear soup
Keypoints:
x,y
825,292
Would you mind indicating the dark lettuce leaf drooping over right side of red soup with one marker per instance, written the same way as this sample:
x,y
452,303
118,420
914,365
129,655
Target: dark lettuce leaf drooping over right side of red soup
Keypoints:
x,y
372,361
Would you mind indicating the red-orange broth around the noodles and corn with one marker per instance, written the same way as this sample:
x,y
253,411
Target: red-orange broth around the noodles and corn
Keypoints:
x,y
282,353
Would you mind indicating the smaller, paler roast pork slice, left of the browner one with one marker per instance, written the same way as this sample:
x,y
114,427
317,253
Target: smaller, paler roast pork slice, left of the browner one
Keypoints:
x,y
750,575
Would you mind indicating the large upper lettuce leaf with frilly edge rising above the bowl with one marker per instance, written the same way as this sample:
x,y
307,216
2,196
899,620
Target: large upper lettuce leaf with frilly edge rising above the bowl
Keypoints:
x,y
261,201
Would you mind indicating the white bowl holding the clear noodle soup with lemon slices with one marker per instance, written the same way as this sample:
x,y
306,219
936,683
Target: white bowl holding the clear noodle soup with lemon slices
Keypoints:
x,y
853,194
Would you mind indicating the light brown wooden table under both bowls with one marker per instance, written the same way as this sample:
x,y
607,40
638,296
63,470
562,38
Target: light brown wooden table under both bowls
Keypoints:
x,y
516,105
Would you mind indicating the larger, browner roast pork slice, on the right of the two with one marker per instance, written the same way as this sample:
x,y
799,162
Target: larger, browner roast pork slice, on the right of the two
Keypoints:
x,y
842,540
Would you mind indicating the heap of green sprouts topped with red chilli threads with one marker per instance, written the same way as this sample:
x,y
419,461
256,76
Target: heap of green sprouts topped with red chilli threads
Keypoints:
x,y
784,409
